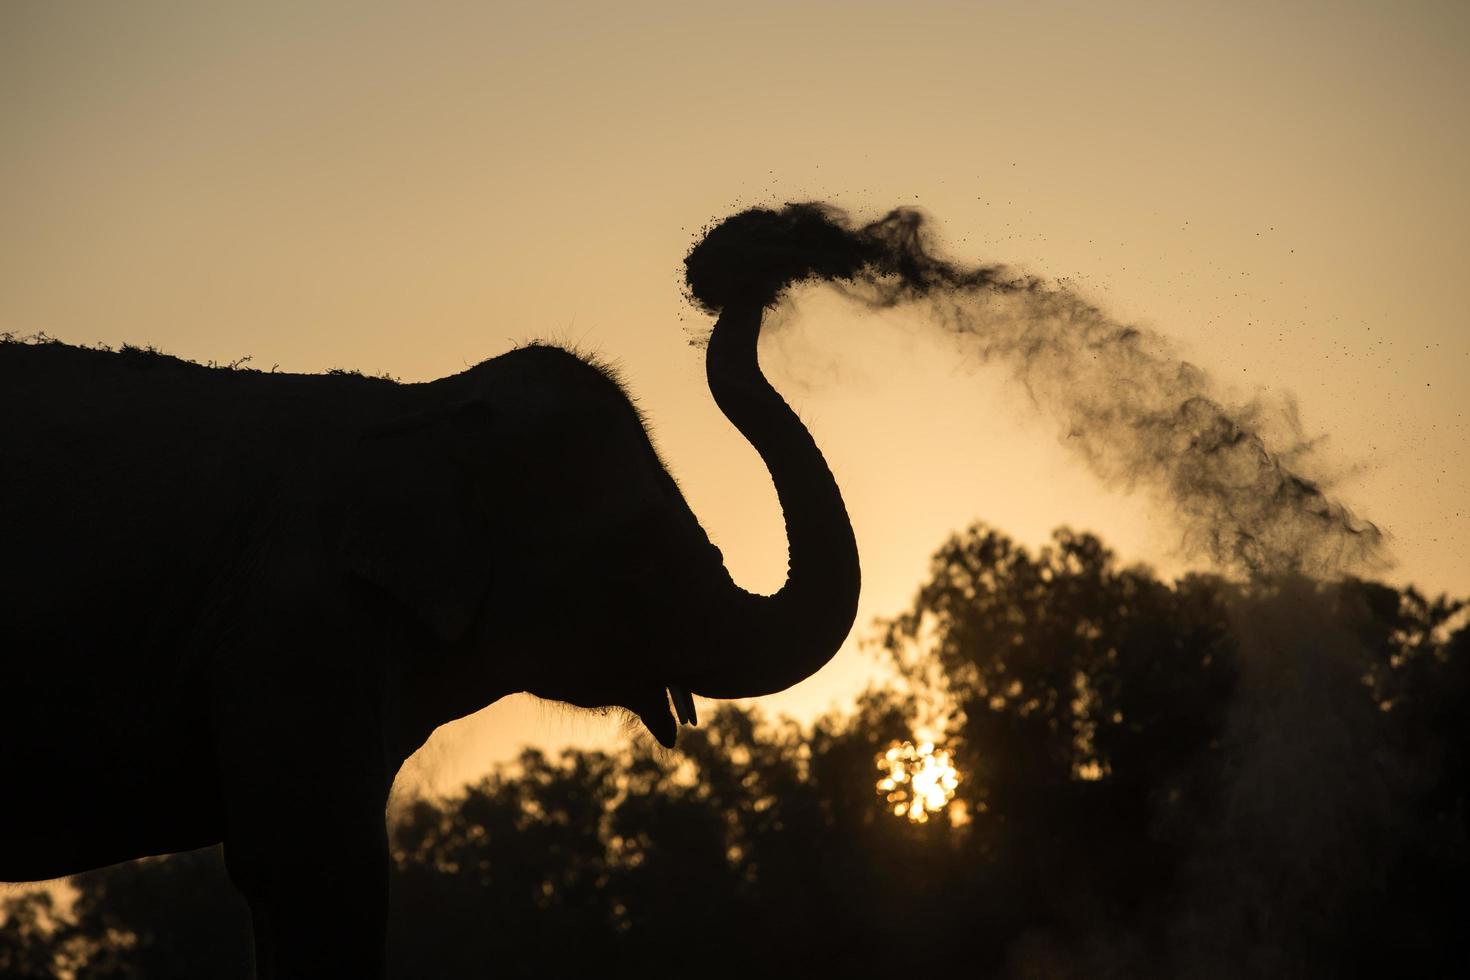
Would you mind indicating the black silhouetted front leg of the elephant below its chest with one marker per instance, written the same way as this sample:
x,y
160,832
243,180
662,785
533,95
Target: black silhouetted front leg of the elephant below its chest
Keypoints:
x,y
305,782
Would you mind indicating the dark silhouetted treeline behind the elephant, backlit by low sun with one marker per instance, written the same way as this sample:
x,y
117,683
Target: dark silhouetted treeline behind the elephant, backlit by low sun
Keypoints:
x,y
1191,779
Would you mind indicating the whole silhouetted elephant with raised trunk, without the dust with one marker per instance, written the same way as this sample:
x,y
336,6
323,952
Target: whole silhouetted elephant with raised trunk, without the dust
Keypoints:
x,y
233,603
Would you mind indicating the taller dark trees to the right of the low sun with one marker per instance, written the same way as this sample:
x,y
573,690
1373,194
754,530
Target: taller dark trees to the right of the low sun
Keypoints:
x,y
1206,778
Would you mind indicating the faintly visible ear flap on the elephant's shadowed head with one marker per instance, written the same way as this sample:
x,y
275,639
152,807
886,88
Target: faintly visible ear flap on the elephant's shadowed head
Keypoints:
x,y
415,524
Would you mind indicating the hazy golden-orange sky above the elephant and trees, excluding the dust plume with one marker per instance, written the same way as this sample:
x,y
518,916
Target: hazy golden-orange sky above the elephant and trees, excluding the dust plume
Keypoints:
x,y
412,189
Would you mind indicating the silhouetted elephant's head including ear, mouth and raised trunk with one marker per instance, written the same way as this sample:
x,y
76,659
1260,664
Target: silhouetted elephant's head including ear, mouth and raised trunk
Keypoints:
x,y
526,519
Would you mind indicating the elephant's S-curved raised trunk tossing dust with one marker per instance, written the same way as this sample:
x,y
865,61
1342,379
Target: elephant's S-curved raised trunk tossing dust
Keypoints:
x,y
770,643
